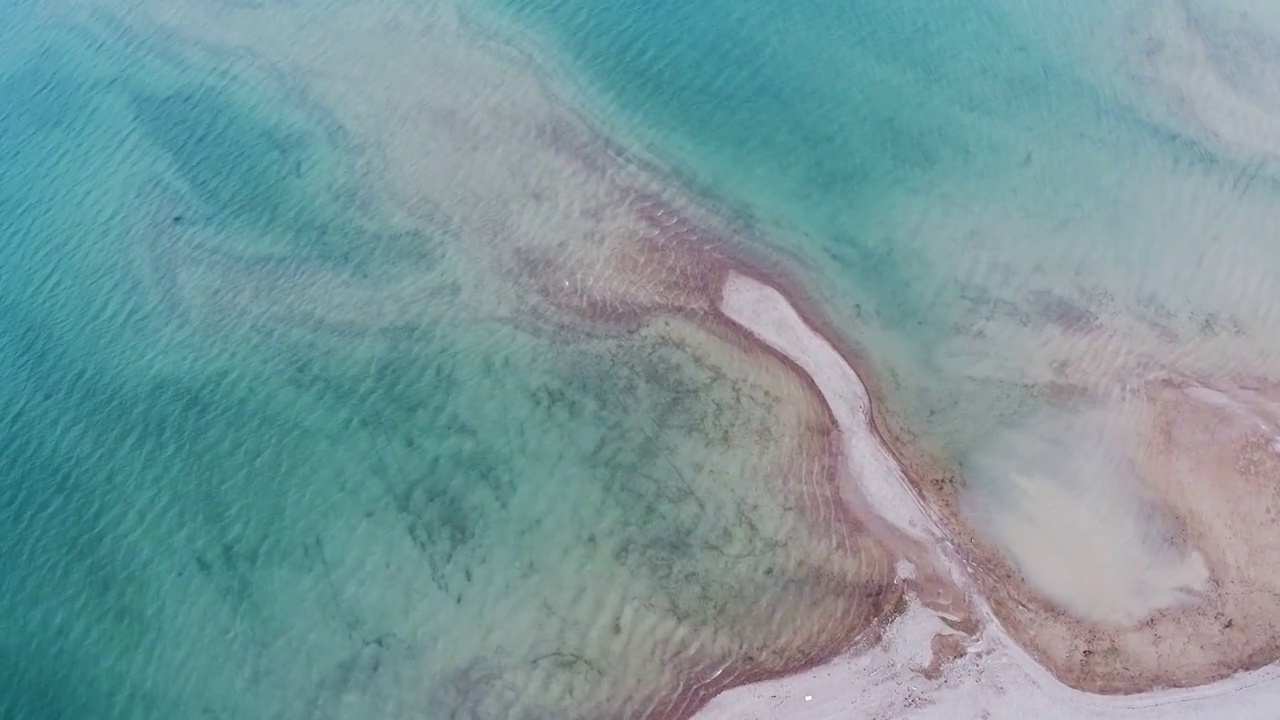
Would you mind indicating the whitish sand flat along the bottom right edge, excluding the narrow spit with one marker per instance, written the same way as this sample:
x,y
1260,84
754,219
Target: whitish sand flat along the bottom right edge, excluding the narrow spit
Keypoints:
x,y
993,683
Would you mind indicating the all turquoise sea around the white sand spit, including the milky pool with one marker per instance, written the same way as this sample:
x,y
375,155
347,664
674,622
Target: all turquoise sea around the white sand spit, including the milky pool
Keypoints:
x,y
284,438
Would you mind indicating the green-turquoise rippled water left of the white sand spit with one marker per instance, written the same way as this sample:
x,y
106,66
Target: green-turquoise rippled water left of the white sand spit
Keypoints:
x,y
222,502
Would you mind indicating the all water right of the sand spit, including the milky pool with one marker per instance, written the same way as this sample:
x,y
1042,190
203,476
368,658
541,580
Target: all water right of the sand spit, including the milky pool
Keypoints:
x,y
1008,207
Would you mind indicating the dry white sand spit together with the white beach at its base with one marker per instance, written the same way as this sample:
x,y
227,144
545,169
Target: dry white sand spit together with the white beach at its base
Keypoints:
x,y
996,680
